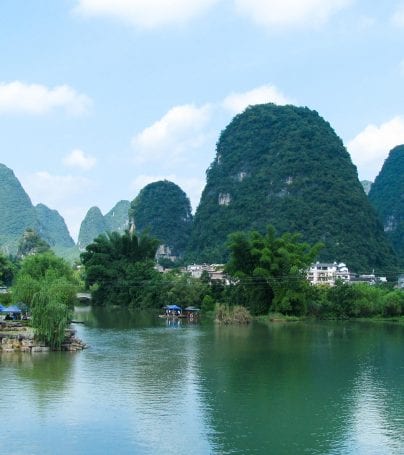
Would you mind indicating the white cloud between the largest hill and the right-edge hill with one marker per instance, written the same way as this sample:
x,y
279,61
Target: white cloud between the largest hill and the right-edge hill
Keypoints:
x,y
371,146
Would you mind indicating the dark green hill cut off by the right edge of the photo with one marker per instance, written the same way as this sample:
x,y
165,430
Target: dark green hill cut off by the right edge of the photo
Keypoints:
x,y
387,196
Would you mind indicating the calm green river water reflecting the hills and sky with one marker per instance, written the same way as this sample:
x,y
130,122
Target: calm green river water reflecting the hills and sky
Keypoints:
x,y
146,387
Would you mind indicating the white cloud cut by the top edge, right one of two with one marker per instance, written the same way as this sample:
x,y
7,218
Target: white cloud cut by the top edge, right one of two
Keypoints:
x,y
284,13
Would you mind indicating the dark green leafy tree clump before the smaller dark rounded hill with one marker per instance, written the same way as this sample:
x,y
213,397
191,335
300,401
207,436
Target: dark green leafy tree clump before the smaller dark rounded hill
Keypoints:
x,y
119,269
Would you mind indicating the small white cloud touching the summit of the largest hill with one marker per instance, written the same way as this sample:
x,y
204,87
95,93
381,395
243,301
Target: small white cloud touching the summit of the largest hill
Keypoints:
x,y
237,102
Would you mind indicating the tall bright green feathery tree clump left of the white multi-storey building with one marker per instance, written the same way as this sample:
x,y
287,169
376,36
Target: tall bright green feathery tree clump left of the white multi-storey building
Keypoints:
x,y
269,271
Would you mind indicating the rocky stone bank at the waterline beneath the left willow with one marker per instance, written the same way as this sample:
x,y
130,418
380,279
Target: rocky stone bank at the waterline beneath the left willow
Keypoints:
x,y
16,336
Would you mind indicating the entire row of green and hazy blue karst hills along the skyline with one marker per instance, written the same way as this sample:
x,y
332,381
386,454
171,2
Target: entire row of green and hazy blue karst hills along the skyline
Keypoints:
x,y
274,165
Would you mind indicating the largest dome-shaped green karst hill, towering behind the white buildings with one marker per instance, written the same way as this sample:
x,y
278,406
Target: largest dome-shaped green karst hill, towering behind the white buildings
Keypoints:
x,y
285,165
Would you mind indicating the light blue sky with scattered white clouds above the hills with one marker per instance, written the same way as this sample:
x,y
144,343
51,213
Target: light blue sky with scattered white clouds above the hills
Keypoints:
x,y
100,97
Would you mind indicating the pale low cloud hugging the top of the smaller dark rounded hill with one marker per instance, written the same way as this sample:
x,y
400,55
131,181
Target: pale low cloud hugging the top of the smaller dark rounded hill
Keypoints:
x,y
192,186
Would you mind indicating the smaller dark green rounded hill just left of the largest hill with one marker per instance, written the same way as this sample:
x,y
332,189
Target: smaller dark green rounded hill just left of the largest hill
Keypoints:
x,y
164,210
